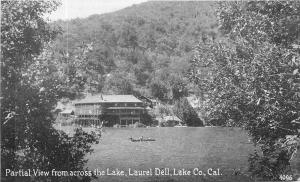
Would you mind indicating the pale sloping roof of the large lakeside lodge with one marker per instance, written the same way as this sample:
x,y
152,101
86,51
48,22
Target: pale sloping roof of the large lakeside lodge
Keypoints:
x,y
109,98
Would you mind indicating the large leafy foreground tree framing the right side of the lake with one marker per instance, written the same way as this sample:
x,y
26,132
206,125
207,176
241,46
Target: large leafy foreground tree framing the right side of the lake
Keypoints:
x,y
252,79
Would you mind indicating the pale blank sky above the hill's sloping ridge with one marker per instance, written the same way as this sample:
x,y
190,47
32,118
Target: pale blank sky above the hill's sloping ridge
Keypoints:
x,y
83,8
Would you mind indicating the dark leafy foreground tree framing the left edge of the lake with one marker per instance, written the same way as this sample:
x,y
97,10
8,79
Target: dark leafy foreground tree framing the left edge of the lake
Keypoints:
x,y
29,91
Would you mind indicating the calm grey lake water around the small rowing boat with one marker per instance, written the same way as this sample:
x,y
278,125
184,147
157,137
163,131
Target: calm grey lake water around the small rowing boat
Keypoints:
x,y
226,149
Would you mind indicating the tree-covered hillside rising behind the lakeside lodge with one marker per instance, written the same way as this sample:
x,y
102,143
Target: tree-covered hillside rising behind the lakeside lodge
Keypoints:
x,y
143,49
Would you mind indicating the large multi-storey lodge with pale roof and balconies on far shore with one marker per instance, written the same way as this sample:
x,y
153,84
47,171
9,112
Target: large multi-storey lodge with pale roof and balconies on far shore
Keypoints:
x,y
111,109
